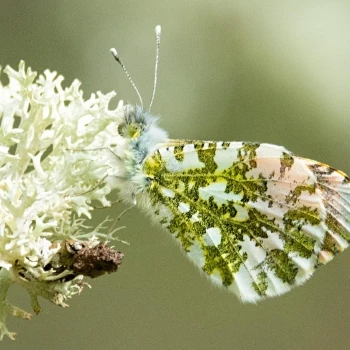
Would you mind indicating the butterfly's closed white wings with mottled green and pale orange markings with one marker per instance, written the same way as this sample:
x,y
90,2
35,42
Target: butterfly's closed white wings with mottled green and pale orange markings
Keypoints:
x,y
255,218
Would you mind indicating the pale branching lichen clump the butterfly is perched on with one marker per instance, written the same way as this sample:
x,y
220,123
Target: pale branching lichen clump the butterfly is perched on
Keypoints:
x,y
56,151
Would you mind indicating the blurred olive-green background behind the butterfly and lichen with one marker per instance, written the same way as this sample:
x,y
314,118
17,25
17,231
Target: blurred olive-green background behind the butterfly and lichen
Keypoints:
x,y
269,71
